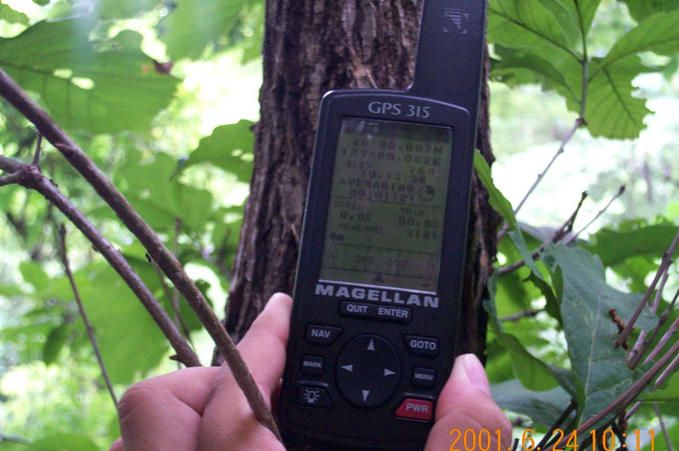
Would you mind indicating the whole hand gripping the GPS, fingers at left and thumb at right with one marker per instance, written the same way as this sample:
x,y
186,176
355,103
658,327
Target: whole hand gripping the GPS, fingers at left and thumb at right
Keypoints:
x,y
203,408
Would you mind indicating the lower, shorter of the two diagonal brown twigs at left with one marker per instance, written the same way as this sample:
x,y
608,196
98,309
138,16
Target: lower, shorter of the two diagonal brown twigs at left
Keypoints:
x,y
31,177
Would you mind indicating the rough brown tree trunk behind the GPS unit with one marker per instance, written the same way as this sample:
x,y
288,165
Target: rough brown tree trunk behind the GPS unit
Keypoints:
x,y
310,47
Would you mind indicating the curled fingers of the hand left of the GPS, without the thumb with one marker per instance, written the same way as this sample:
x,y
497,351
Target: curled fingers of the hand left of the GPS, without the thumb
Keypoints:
x,y
203,408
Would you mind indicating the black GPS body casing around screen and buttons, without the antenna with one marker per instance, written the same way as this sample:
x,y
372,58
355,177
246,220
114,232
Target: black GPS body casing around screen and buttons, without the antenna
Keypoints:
x,y
378,427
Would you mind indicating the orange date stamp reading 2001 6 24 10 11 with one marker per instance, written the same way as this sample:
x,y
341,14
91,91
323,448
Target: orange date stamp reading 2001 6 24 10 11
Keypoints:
x,y
606,440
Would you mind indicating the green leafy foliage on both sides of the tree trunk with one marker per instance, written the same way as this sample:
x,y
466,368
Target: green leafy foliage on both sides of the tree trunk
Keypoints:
x,y
88,63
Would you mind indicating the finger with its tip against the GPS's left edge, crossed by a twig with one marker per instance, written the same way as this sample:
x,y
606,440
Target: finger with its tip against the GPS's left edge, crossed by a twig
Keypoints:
x,y
228,418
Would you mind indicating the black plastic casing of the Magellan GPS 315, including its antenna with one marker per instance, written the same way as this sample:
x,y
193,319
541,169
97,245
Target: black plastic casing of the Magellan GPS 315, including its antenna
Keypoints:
x,y
446,85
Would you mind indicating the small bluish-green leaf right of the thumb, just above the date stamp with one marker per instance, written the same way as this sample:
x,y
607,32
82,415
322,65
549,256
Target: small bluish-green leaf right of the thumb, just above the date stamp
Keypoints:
x,y
543,407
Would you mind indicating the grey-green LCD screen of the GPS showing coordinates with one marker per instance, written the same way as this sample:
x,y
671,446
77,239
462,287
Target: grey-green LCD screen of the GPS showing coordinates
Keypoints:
x,y
387,204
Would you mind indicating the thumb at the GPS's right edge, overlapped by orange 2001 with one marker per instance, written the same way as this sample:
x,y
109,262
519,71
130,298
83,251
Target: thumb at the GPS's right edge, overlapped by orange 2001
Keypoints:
x,y
465,405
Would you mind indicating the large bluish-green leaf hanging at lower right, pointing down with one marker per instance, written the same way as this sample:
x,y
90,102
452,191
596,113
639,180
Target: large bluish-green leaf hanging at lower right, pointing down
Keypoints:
x,y
600,366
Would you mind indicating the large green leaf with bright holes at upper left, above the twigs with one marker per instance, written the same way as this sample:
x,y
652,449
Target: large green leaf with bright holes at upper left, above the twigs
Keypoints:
x,y
100,91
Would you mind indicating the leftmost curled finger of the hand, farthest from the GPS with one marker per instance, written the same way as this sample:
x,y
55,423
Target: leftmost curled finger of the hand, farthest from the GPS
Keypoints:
x,y
164,412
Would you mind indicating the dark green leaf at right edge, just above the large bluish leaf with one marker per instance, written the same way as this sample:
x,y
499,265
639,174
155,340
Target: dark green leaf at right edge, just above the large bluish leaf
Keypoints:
x,y
614,247
